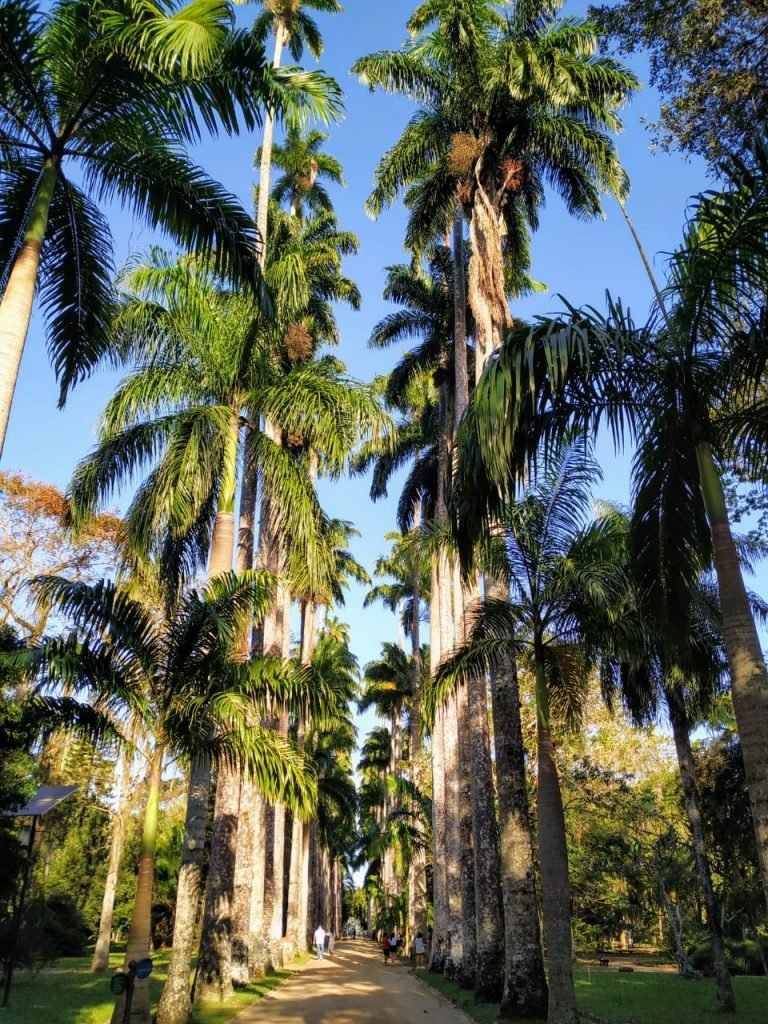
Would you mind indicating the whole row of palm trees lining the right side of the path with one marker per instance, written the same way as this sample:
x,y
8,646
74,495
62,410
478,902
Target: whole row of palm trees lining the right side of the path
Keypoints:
x,y
513,99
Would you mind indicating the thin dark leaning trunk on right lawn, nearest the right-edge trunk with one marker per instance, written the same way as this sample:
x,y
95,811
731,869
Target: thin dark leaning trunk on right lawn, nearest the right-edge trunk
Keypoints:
x,y
691,795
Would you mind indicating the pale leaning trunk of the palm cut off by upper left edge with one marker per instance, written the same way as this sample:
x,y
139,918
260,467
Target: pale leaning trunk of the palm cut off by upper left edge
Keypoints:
x,y
16,307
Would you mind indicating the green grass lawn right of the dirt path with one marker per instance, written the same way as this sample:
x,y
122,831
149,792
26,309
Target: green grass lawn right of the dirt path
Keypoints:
x,y
642,998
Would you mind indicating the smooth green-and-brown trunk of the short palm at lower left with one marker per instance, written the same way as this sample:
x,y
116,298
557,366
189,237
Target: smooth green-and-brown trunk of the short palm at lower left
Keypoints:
x,y
140,932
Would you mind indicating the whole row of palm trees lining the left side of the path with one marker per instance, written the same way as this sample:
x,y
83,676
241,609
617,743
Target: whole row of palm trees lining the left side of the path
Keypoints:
x,y
227,417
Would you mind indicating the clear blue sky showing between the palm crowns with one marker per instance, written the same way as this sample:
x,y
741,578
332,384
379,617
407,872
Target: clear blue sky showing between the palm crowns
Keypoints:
x,y
578,261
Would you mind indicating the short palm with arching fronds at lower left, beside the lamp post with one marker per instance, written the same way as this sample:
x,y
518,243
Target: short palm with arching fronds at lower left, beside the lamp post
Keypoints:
x,y
175,670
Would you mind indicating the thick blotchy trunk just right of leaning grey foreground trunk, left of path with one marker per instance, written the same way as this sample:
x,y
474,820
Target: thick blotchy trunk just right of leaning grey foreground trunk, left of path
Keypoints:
x,y
215,980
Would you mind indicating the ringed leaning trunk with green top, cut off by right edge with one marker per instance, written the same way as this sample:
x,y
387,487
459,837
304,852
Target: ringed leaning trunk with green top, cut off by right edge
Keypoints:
x,y
748,669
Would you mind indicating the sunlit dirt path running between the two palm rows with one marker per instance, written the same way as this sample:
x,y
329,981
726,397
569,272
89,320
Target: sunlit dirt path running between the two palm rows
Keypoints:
x,y
353,989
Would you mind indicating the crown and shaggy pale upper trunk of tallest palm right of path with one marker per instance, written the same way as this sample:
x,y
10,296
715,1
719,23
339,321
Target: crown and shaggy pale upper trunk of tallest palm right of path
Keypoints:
x,y
513,100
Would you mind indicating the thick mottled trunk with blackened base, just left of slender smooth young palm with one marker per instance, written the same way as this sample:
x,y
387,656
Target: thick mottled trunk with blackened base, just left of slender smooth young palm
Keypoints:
x,y
525,992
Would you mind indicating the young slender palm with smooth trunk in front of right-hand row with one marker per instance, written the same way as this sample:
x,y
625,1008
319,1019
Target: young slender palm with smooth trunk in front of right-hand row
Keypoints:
x,y
568,593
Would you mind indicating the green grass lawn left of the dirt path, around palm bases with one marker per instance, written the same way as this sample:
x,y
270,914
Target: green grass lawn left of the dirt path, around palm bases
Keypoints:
x,y
69,994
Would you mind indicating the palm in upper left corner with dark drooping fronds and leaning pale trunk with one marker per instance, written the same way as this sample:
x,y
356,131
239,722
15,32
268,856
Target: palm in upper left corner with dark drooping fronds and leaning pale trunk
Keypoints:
x,y
117,94
